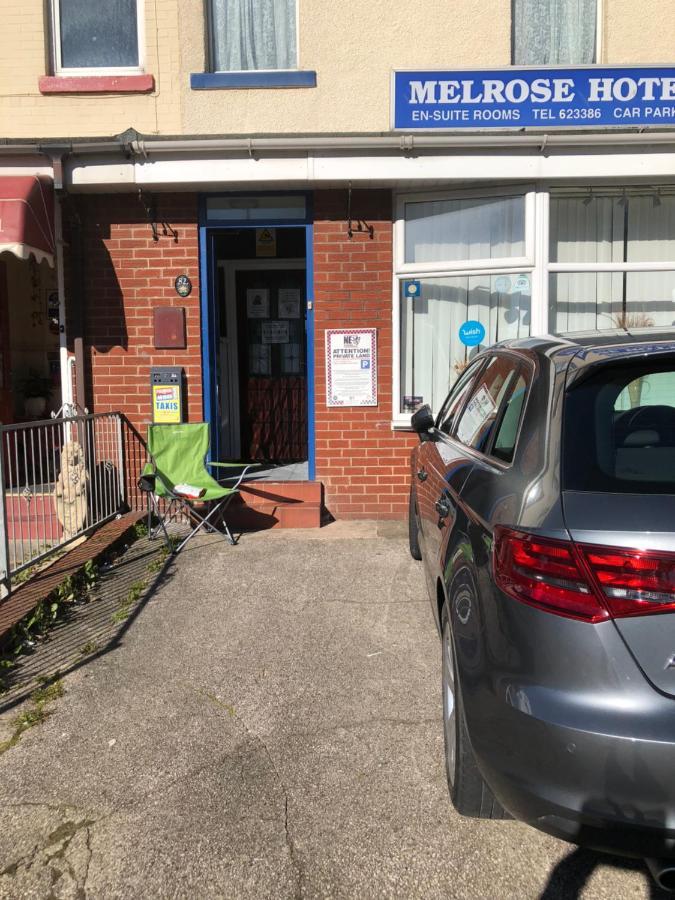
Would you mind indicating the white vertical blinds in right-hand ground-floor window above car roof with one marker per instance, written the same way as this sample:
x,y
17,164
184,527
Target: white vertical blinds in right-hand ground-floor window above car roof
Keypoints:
x,y
612,227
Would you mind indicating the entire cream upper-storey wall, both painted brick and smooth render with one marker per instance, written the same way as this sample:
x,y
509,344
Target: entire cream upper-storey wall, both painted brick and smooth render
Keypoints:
x,y
352,45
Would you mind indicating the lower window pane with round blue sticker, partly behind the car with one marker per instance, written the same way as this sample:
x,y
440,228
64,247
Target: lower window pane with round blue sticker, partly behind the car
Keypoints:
x,y
432,355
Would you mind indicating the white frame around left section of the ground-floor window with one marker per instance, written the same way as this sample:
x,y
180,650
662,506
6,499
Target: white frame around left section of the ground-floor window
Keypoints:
x,y
531,263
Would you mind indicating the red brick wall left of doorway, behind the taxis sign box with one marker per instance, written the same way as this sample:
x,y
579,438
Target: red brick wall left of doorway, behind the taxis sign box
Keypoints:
x,y
123,275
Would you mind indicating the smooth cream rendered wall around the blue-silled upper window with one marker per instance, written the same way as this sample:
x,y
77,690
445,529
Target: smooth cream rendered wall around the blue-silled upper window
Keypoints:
x,y
353,46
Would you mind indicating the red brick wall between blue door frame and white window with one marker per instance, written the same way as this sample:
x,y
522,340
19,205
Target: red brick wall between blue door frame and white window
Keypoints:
x,y
363,464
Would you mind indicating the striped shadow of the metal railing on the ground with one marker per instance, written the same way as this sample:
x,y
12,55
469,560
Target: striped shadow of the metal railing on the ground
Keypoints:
x,y
93,627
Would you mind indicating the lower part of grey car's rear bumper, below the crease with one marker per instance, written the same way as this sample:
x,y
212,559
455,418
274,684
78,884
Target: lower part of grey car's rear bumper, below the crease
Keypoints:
x,y
605,791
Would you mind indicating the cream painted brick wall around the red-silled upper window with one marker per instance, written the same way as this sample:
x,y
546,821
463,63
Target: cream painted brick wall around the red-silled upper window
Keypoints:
x,y
25,113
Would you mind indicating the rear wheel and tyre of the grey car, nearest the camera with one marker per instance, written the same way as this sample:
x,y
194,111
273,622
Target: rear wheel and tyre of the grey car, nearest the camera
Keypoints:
x,y
469,793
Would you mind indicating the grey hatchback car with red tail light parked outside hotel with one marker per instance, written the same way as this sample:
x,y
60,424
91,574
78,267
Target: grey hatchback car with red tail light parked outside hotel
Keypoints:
x,y
543,506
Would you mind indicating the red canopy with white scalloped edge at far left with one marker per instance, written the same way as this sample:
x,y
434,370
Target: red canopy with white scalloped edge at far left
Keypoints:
x,y
27,217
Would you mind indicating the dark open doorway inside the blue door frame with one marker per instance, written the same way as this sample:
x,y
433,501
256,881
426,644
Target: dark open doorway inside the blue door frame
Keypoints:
x,y
261,352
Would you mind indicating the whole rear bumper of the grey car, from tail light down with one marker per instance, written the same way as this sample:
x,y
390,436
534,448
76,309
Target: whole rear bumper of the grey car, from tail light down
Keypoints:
x,y
583,747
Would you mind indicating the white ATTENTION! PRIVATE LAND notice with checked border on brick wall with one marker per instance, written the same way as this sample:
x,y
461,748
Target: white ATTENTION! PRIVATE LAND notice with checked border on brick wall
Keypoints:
x,y
351,367
